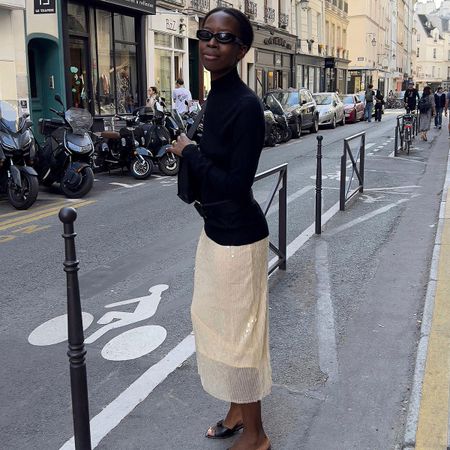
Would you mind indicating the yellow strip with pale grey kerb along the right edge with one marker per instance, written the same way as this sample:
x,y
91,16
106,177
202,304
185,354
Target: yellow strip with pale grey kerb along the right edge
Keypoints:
x,y
429,415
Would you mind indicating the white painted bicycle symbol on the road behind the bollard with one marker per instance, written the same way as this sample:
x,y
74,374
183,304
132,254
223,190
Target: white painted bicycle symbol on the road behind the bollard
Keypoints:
x,y
128,345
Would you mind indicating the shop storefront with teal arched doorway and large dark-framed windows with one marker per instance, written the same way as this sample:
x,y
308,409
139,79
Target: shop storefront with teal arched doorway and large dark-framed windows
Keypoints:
x,y
93,53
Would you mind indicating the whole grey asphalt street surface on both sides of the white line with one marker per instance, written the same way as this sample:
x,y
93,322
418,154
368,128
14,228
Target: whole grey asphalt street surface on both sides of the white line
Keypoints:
x,y
137,236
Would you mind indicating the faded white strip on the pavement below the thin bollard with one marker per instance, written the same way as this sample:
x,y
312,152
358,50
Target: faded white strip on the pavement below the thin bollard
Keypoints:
x,y
328,361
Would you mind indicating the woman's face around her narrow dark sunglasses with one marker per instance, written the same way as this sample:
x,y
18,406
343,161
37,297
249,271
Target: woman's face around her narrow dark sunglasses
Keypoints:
x,y
218,58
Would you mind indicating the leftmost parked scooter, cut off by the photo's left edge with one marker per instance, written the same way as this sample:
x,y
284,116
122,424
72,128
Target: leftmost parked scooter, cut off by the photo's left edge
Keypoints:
x,y
17,152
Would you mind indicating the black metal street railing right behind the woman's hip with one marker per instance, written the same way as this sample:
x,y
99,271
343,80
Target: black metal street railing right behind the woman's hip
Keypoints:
x,y
280,187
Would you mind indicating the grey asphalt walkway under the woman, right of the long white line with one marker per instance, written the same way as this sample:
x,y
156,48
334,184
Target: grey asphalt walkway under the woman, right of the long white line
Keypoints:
x,y
345,325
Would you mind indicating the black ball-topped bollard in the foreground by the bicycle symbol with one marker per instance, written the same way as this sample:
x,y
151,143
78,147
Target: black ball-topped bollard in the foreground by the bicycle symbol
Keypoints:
x,y
76,353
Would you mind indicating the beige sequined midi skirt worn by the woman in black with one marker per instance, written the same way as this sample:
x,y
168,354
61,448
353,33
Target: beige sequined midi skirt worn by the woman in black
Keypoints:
x,y
230,320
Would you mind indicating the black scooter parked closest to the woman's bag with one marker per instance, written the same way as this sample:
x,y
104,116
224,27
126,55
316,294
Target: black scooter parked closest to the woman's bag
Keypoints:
x,y
158,138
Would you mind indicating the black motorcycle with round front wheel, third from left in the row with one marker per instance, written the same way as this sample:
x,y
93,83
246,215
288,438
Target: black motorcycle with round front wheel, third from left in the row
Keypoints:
x,y
124,148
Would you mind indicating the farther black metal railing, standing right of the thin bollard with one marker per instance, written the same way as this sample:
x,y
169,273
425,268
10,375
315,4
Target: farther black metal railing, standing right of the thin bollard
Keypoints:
x,y
345,194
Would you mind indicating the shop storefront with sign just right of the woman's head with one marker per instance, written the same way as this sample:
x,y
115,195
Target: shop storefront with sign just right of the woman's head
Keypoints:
x,y
274,55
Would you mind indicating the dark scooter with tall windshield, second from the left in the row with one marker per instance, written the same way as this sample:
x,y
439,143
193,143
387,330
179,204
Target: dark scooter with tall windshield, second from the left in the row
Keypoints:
x,y
66,155
